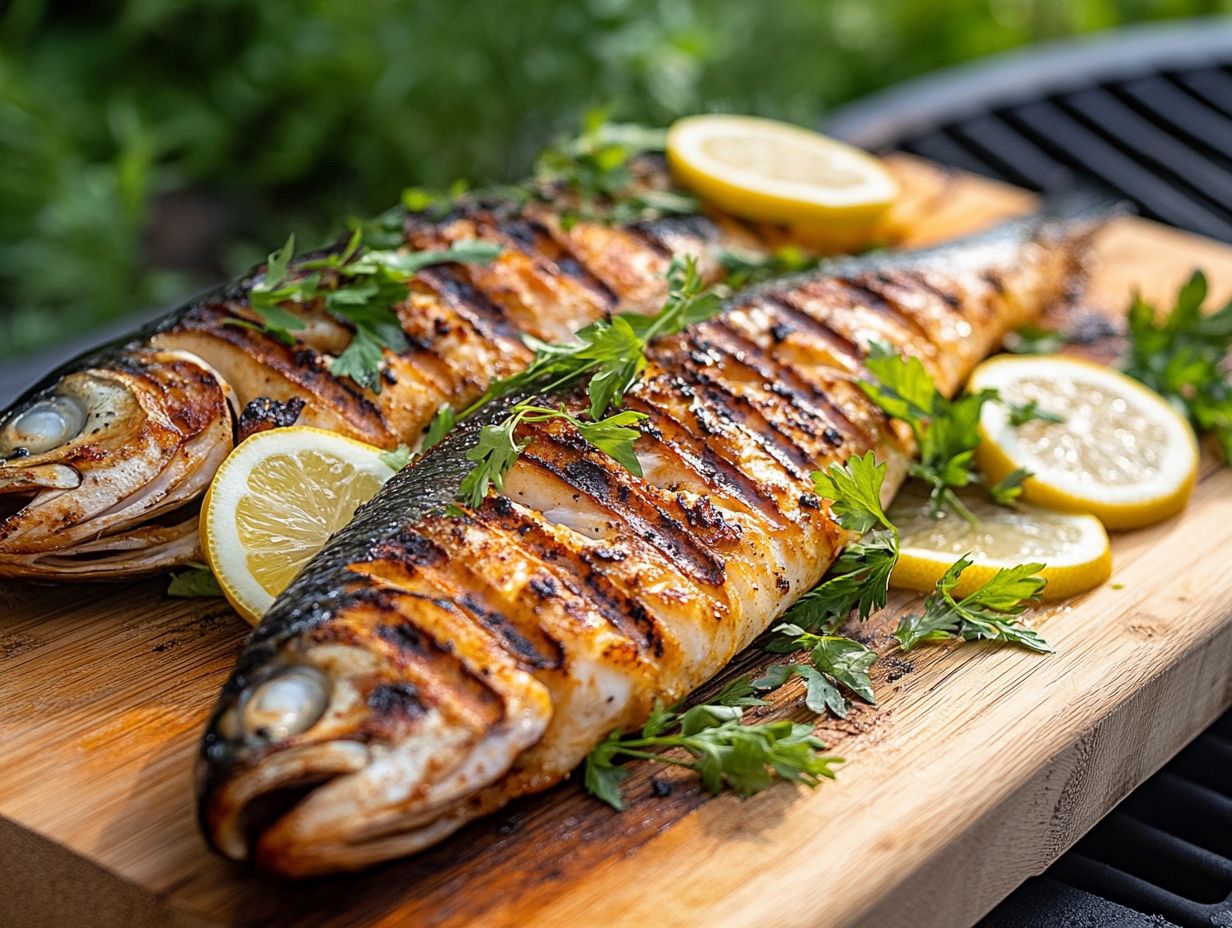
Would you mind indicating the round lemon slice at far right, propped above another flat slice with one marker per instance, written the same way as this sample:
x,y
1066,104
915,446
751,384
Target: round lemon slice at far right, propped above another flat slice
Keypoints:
x,y
1122,454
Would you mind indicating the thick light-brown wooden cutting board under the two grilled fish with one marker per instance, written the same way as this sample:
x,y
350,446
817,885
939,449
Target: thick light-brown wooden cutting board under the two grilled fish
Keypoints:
x,y
978,770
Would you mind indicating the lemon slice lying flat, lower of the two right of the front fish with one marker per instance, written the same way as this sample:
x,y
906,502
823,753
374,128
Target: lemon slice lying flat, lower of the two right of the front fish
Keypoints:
x,y
1074,549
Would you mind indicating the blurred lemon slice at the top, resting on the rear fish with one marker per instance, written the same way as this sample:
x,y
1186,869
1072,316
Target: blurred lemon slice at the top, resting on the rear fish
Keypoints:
x,y
827,192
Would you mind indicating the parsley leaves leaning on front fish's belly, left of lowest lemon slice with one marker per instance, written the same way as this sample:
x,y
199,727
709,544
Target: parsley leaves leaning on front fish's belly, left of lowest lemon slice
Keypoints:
x,y
861,577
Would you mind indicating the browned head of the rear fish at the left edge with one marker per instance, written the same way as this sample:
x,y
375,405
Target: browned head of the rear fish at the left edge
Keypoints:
x,y
100,466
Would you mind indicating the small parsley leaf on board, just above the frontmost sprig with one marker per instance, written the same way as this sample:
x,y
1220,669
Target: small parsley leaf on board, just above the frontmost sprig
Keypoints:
x,y
835,662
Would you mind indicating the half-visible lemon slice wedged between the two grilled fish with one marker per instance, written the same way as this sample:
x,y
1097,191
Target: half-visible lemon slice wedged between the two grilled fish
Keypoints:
x,y
273,505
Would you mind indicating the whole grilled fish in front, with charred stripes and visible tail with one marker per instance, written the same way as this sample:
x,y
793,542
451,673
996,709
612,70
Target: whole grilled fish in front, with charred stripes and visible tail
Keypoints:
x,y
434,662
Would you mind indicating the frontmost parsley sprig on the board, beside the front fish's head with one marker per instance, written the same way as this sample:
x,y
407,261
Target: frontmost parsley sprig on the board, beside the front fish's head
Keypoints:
x,y
718,745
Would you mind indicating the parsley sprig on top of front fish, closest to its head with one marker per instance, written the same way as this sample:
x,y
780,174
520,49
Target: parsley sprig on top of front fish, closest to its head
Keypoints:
x,y
498,449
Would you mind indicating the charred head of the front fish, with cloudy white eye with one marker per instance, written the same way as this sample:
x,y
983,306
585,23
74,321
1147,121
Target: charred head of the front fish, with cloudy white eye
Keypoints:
x,y
360,734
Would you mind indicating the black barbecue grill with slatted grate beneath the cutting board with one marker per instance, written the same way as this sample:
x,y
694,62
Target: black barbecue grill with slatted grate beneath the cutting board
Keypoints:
x,y
1149,114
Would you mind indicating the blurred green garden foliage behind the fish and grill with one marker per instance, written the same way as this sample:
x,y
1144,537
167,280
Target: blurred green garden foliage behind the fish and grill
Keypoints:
x,y
151,146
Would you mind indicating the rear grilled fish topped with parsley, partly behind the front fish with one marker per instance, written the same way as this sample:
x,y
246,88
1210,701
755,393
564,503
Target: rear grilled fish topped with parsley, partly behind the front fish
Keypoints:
x,y
103,465
